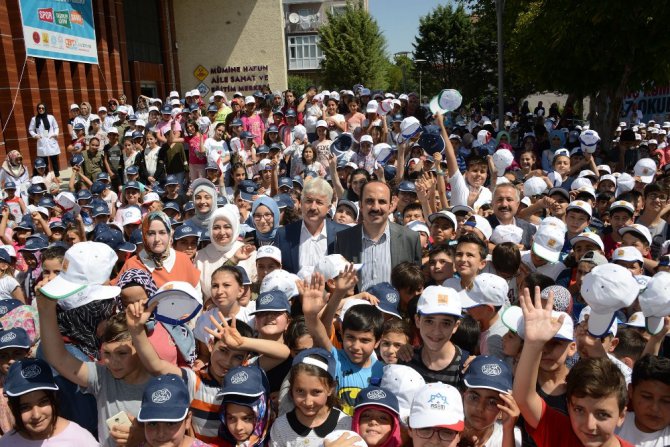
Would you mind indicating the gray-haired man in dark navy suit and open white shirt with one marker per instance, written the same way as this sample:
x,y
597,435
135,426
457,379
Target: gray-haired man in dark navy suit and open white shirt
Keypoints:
x,y
305,242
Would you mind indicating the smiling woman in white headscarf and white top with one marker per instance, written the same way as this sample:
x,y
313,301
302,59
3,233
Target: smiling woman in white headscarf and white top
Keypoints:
x,y
225,248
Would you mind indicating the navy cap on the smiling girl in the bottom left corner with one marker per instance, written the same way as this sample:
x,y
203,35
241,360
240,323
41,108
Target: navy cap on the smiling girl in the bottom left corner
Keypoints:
x,y
29,375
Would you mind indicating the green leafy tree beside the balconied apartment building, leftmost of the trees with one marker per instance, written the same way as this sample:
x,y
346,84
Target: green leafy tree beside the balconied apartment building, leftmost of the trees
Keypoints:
x,y
354,49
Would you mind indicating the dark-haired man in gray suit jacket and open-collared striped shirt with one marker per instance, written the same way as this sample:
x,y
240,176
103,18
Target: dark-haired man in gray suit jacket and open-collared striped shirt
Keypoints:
x,y
377,243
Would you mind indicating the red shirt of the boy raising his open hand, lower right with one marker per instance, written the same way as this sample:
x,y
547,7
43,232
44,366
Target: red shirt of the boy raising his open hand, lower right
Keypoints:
x,y
555,430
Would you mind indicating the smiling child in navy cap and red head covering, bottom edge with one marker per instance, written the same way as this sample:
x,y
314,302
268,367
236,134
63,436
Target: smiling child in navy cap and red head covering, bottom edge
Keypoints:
x,y
377,417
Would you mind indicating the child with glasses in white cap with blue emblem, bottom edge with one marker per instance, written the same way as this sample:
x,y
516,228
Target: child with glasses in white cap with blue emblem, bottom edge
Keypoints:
x,y
436,416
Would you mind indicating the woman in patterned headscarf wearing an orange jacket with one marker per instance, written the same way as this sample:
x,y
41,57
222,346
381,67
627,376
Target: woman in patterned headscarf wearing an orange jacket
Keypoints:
x,y
158,257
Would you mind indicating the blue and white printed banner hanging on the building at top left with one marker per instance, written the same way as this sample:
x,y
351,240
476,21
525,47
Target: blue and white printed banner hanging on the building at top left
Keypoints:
x,y
59,29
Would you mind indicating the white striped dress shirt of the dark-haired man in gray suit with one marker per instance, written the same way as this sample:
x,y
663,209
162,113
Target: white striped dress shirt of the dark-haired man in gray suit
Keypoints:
x,y
376,259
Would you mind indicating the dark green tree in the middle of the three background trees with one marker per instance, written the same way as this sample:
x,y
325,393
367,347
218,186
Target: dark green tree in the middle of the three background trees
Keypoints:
x,y
456,56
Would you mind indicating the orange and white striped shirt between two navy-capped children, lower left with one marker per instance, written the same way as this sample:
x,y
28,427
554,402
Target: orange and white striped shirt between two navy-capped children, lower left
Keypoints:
x,y
203,390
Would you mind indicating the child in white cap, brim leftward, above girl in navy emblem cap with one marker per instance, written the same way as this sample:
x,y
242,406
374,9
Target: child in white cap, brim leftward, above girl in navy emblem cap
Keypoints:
x,y
483,303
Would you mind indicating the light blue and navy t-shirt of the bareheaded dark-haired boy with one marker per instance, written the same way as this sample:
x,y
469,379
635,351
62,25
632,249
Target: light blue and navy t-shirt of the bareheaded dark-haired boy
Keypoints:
x,y
352,378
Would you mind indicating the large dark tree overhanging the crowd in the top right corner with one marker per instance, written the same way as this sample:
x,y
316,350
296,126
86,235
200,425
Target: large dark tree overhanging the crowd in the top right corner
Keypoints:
x,y
597,49
